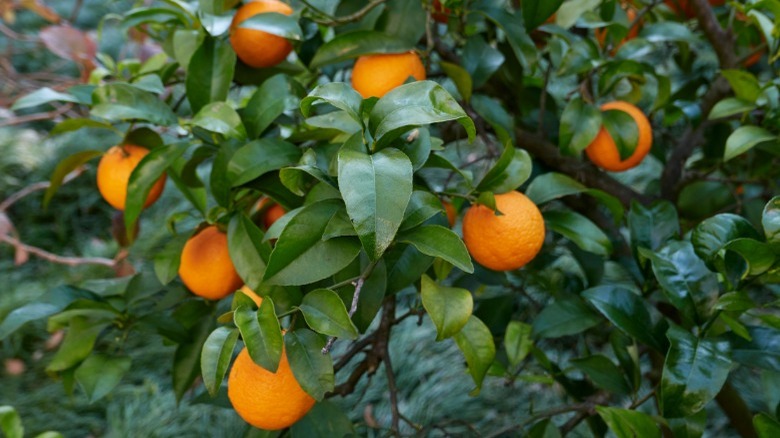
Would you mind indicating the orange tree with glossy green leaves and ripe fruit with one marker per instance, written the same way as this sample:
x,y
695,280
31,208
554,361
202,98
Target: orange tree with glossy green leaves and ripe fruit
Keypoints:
x,y
639,287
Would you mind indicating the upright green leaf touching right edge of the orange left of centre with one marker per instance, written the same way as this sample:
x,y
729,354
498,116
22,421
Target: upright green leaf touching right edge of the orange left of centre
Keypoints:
x,y
248,252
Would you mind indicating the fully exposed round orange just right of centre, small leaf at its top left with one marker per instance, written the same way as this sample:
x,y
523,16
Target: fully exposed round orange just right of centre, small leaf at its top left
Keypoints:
x,y
506,242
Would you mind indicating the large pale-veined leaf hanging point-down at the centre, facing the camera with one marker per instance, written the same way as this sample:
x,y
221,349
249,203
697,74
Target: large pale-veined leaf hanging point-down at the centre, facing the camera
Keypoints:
x,y
376,189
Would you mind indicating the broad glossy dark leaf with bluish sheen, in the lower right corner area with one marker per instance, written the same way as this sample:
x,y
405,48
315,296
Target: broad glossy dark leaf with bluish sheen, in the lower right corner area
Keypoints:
x,y
694,372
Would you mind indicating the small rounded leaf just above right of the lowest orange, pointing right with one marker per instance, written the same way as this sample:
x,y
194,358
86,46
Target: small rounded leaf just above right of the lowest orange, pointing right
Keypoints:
x,y
325,313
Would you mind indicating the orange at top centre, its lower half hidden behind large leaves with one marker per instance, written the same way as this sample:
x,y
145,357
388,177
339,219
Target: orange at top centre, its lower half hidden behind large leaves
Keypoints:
x,y
375,75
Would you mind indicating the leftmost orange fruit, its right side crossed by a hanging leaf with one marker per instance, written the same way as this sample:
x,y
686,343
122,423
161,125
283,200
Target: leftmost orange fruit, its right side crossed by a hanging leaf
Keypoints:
x,y
114,171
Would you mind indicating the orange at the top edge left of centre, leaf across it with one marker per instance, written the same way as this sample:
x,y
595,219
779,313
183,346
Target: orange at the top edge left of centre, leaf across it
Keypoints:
x,y
257,48
